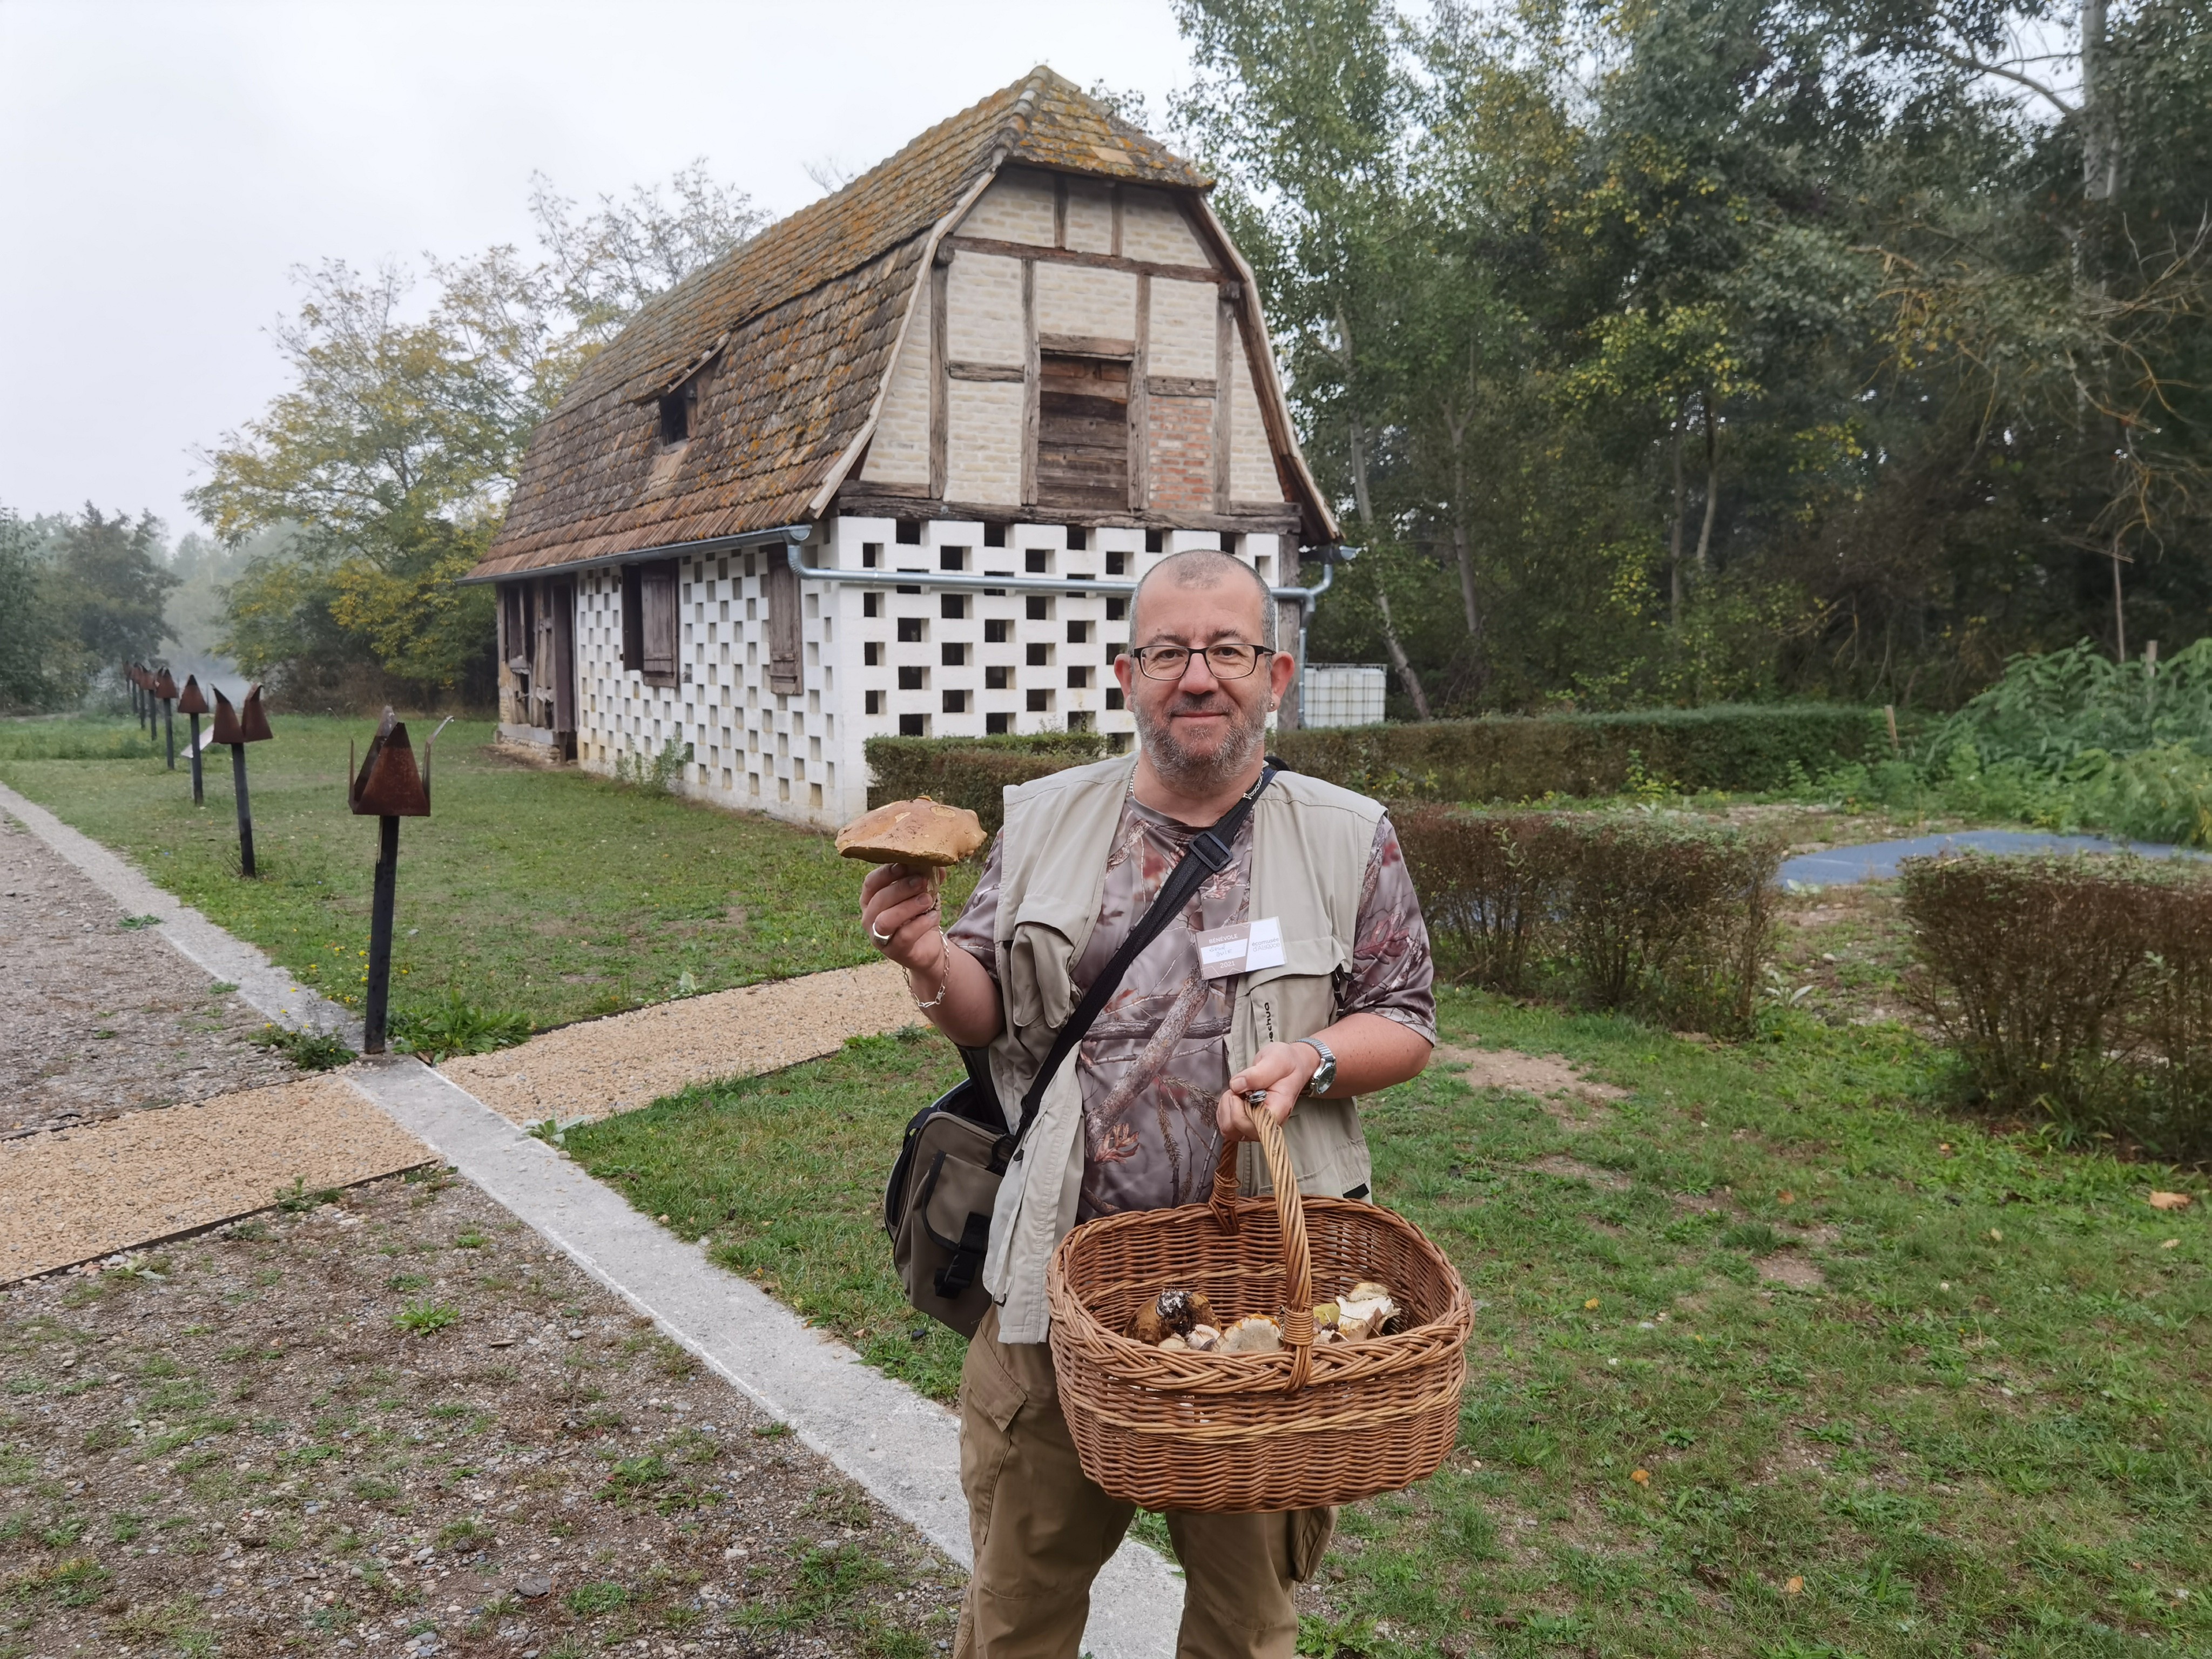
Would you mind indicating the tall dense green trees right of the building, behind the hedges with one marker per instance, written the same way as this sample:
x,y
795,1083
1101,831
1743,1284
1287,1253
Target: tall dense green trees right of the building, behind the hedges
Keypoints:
x,y
1720,348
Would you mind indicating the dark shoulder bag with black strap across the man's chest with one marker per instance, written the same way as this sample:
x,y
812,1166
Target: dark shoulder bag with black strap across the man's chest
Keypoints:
x,y
943,1189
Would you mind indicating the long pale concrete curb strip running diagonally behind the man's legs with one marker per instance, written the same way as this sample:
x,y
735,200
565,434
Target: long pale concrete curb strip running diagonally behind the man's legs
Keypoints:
x,y
879,1432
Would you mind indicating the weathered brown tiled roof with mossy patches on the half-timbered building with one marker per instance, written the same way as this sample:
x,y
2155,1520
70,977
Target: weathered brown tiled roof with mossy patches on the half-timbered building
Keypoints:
x,y
802,324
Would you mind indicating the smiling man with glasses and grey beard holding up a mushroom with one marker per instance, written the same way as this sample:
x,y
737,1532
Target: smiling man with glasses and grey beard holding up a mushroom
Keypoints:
x,y
1138,1116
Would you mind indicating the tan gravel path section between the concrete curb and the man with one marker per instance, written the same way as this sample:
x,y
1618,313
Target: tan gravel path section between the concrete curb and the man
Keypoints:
x,y
629,1061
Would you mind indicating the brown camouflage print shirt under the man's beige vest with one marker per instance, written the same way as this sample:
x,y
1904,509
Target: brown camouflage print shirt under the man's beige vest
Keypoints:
x,y
1158,1058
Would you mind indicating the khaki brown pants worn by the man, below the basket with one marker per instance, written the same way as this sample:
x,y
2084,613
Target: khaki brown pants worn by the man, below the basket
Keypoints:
x,y
1043,1532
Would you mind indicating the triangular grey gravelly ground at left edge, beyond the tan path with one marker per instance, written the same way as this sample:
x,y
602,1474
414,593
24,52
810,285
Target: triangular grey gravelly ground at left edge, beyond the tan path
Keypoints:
x,y
98,1016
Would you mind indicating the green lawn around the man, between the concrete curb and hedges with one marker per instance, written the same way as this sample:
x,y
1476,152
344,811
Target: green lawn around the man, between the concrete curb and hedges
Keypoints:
x,y
1901,1386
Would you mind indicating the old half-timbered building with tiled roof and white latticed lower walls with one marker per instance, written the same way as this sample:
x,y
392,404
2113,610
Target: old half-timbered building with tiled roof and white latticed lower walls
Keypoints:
x,y
897,463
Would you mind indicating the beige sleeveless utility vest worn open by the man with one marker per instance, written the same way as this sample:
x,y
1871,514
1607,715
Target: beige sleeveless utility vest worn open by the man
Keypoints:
x,y
1311,846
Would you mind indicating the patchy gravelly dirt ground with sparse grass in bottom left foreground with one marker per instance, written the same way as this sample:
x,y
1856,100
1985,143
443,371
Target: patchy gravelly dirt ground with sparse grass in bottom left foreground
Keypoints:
x,y
397,1426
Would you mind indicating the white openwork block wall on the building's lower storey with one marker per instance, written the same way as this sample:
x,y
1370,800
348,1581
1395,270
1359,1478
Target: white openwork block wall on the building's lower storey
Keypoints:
x,y
800,758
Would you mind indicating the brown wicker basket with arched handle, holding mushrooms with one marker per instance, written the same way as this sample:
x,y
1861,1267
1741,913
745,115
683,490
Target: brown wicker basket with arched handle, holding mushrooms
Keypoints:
x,y
1258,1432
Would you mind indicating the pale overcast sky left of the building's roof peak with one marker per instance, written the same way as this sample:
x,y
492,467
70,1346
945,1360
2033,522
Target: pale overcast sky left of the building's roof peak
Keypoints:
x,y
163,167
